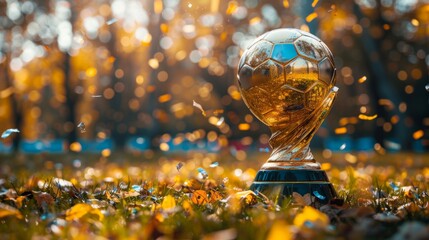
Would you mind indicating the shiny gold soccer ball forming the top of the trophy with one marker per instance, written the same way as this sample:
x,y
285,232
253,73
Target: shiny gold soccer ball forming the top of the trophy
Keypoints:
x,y
284,75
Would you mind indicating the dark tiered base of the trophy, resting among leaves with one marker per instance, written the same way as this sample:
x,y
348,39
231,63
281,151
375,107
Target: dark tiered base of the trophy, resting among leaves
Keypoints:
x,y
279,185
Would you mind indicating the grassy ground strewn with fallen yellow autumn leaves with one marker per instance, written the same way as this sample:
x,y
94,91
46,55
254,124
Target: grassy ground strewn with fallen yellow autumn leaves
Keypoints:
x,y
199,195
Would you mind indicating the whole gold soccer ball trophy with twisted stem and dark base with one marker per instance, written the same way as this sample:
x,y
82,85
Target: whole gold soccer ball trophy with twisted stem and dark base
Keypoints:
x,y
286,78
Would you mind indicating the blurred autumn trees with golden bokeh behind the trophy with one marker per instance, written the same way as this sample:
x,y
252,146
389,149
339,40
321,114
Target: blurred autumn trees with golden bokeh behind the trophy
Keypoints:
x,y
137,75
